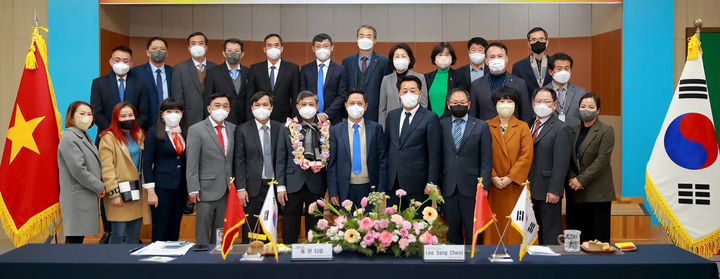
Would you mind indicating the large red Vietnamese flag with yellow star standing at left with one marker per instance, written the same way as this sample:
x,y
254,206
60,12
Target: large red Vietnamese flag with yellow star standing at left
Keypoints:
x,y
29,182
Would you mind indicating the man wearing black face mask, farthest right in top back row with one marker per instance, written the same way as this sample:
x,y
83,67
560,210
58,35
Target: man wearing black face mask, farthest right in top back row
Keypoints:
x,y
534,69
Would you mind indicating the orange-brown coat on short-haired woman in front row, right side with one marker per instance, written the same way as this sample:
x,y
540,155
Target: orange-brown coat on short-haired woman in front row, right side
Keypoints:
x,y
512,157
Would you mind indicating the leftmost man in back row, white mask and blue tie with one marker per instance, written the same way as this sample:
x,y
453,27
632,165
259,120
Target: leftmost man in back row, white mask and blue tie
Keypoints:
x,y
115,87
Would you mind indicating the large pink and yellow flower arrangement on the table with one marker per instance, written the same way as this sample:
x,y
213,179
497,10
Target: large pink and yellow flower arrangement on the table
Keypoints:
x,y
390,230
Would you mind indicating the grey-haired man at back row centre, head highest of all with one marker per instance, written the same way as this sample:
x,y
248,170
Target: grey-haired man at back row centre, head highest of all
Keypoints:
x,y
366,69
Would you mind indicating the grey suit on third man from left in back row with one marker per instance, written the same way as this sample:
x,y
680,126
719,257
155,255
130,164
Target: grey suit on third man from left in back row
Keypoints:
x,y
186,87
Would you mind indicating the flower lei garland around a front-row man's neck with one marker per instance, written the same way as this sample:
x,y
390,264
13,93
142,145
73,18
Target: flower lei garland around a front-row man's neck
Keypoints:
x,y
296,138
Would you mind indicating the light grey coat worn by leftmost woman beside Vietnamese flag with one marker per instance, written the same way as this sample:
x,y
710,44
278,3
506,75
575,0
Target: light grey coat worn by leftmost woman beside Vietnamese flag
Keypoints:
x,y
80,182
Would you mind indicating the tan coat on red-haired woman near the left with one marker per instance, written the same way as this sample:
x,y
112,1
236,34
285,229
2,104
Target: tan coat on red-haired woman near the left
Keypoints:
x,y
117,166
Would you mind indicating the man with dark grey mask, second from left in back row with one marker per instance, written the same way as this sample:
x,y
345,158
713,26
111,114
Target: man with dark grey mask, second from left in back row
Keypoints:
x,y
157,77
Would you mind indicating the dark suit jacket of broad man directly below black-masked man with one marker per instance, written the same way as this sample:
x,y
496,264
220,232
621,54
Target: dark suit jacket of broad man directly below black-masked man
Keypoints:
x,y
481,99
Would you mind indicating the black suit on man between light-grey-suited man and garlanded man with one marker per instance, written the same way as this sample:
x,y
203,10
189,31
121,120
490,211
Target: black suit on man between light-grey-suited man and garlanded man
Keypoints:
x,y
248,166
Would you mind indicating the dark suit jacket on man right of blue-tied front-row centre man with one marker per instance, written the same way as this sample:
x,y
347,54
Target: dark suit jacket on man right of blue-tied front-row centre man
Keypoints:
x,y
416,159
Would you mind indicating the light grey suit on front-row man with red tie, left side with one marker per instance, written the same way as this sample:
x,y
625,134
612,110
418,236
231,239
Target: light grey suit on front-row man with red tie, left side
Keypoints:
x,y
209,171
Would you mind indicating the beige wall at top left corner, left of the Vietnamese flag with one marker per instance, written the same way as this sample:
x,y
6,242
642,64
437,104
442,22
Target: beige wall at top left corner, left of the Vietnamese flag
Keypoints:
x,y
16,18
